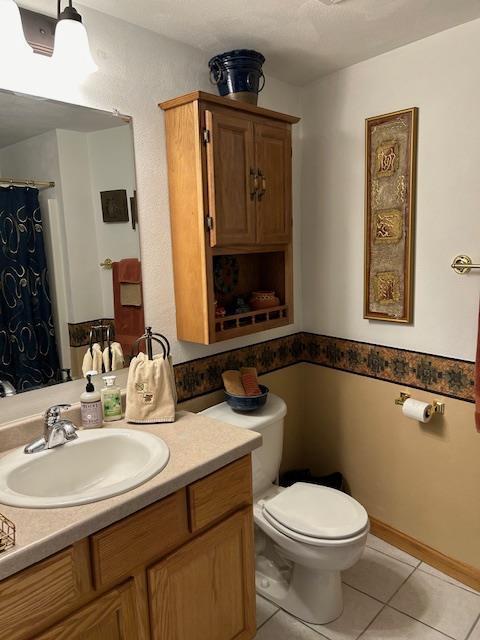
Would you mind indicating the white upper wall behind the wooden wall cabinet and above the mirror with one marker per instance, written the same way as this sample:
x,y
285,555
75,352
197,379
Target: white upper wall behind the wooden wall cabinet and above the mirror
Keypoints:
x,y
139,69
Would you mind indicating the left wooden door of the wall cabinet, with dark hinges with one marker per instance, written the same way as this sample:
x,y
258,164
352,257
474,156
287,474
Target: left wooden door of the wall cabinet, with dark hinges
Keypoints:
x,y
230,163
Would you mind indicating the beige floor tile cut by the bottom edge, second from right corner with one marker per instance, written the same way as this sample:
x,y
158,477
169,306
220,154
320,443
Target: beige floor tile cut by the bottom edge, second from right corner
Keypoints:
x,y
393,625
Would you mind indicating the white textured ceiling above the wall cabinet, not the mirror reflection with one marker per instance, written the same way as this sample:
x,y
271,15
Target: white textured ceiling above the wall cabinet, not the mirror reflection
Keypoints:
x,y
301,39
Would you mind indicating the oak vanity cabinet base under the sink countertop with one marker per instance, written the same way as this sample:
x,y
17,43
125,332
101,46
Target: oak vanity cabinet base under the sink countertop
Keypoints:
x,y
180,569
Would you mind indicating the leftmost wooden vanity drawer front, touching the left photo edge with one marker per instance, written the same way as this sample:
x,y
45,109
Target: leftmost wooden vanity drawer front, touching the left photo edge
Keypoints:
x,y
43,592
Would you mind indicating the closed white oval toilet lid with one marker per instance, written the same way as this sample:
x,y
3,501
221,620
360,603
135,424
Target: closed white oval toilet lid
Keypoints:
x,y
317,512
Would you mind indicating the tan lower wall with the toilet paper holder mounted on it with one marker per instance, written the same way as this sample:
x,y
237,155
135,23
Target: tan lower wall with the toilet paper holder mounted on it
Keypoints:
x,y
422,479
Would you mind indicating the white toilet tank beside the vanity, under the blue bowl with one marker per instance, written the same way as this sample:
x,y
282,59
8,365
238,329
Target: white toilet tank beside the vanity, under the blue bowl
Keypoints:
x,y
269,421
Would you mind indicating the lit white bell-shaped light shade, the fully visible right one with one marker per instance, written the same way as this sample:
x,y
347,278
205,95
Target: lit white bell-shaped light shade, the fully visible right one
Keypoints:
x,y
71,53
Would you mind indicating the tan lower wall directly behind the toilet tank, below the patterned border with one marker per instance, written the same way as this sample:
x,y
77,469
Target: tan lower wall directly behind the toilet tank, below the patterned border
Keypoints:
x,y
288,384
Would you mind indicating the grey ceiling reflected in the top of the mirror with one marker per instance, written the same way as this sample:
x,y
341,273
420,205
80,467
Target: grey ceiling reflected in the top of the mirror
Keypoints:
x,y
23,117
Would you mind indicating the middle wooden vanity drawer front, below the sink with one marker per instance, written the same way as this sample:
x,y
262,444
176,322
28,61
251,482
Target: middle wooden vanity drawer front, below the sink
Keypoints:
x,y
138,539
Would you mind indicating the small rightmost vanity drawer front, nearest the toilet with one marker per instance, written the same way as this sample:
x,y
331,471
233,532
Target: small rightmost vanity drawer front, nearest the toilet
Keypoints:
x,y
220,493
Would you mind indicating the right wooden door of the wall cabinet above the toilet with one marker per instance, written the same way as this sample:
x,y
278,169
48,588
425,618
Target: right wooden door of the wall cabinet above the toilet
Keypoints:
x,y
274,196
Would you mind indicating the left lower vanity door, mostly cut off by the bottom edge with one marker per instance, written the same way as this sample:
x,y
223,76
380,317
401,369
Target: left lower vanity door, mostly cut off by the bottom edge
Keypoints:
x,y
111,617
